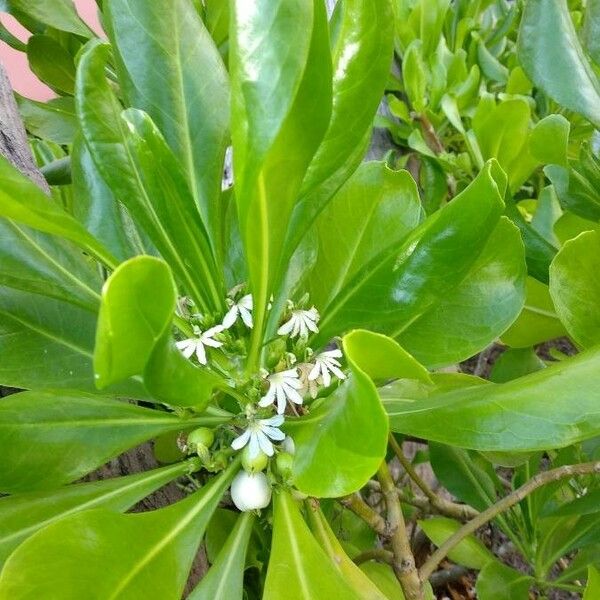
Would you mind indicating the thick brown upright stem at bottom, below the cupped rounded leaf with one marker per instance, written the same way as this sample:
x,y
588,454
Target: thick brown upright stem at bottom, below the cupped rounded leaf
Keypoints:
x,y
404,561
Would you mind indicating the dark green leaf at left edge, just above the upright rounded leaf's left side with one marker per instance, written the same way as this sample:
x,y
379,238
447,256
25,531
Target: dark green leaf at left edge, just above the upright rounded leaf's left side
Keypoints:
x,y
37,262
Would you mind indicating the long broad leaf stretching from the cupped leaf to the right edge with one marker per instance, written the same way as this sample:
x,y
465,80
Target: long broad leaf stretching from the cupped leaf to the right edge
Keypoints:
x,y
558,405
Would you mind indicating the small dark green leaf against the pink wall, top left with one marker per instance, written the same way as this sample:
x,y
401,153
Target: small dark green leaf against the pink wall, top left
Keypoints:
x,y
51,63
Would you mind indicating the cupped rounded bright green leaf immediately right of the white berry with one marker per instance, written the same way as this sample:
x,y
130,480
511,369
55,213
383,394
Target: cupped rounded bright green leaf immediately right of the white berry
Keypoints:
x,y
342,442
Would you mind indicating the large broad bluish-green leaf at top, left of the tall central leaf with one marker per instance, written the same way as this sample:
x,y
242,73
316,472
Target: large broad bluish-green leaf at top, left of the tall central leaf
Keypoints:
x,y
175,74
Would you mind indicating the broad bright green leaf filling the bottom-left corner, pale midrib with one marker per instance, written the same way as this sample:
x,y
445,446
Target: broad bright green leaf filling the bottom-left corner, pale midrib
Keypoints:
x,y
143,555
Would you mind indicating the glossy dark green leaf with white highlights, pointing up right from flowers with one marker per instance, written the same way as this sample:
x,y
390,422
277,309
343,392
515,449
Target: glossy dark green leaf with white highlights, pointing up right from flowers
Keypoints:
x,y
407,280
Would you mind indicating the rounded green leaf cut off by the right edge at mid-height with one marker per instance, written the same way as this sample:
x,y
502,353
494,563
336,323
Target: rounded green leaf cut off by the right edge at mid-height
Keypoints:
x,y
575,287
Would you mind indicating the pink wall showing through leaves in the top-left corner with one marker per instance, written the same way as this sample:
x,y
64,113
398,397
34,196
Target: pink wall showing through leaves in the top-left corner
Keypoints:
x,y
22,79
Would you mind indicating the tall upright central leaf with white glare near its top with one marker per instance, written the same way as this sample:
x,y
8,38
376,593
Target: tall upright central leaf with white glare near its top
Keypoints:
x,y
275,94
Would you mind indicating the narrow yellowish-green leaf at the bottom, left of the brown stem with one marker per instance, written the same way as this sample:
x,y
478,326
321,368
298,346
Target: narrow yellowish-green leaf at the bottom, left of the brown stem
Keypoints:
x,y
320,528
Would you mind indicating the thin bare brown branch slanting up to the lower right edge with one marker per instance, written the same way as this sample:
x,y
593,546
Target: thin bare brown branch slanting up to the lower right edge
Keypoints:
x,y
502,505
